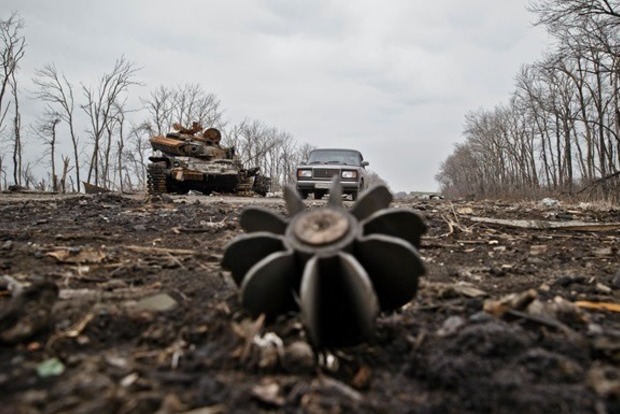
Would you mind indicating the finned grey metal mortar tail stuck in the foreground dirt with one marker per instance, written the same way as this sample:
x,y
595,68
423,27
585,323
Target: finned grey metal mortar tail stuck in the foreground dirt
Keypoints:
x,y
339,268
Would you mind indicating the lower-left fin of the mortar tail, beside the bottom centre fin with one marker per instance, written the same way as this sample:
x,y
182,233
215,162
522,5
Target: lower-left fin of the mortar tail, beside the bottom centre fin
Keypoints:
x,y
270,285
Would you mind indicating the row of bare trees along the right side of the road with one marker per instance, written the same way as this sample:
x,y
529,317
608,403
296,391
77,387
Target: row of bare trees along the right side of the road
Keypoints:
x,y
559,133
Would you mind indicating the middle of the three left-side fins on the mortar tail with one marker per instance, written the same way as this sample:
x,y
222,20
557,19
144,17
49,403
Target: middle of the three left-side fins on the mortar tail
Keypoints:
x,y
248,249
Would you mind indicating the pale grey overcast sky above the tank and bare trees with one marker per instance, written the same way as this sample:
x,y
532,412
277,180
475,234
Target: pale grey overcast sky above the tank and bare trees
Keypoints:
x,y
392,78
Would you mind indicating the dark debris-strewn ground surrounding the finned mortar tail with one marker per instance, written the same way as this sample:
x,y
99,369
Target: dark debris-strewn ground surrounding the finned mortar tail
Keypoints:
x,y
118,304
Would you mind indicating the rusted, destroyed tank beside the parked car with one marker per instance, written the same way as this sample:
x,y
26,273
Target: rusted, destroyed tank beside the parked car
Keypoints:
x,y
193,159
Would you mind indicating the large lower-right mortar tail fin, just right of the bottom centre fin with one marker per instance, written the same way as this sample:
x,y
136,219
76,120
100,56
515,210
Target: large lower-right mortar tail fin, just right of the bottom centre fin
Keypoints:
x,y
393,266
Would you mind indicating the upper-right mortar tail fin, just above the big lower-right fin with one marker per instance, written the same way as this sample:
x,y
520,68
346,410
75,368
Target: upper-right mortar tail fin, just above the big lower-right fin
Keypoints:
x,y
404,224
